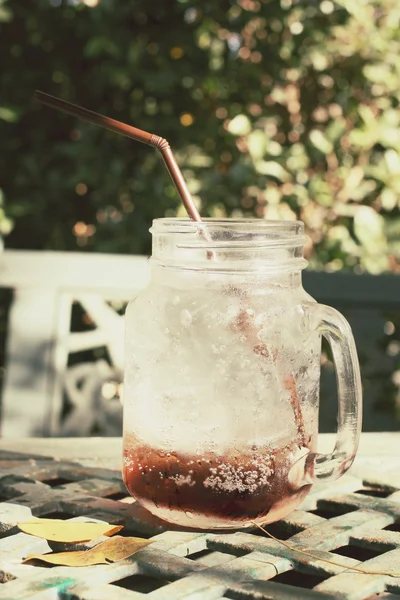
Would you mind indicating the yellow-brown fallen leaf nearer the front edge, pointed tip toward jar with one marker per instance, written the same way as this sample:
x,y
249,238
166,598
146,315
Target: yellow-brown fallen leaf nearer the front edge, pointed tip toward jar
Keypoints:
x,y
109,551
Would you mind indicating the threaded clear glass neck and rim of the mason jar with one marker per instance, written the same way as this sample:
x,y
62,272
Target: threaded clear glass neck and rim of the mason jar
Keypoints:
x,y
252,245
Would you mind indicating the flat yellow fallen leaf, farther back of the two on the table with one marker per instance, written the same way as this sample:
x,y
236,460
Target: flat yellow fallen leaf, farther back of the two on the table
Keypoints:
x,y
57,530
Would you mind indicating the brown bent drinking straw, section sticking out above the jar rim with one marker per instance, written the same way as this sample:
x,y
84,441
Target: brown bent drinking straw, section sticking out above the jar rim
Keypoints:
x,y
133,132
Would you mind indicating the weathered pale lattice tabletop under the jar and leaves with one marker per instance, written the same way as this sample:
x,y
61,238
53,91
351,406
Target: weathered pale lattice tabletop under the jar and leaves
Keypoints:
x,y
354,522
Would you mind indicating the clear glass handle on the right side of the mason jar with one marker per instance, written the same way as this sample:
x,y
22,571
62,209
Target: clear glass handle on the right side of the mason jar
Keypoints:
x,y
335,328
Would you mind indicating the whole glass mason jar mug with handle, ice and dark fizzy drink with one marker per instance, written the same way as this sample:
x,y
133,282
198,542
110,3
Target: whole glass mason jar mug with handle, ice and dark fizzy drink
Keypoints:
x,y
222,375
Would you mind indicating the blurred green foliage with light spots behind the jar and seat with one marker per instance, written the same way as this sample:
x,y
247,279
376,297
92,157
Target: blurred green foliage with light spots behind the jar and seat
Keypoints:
x,y
275,109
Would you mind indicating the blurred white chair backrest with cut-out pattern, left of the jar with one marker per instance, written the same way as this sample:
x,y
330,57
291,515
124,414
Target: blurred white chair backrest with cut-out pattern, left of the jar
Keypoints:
x,y
42,395
